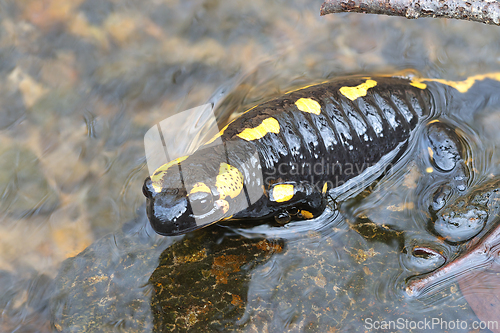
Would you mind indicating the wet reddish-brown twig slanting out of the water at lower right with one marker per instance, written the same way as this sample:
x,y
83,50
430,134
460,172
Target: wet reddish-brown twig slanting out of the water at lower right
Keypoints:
x,y
479,257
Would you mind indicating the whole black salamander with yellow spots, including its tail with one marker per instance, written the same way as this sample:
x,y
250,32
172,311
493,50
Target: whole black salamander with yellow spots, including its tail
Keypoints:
x,y
281,158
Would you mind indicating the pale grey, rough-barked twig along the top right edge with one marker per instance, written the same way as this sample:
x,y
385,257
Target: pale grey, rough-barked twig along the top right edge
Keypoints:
x,y
485,11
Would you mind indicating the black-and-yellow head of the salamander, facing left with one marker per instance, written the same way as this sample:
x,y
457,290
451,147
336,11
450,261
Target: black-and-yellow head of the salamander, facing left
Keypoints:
x,y
191,193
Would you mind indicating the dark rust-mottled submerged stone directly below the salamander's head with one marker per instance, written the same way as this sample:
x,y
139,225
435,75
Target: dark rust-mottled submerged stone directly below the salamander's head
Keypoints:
x,y
202,283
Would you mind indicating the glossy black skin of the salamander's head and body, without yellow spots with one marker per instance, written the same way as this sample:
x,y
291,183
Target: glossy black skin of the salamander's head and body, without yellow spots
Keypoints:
x,y
346,135
